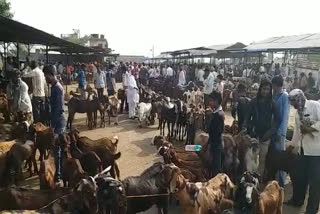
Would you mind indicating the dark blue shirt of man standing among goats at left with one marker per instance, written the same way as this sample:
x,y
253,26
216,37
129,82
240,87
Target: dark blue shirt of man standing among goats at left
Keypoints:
x,y
56,102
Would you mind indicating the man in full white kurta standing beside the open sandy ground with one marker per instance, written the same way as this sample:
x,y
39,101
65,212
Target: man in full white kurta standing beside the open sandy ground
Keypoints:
x,y
132,95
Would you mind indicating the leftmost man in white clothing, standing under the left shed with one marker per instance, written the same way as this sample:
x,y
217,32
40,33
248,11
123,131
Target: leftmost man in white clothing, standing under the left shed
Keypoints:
x,y
18,97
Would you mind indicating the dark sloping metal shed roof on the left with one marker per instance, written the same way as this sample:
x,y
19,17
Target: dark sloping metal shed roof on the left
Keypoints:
x,y
13,31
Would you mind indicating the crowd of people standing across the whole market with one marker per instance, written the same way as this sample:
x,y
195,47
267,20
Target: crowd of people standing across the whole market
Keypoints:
x,y
265,116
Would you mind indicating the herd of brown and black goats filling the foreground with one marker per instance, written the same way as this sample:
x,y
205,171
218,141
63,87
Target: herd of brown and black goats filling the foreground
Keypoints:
x,y
185,176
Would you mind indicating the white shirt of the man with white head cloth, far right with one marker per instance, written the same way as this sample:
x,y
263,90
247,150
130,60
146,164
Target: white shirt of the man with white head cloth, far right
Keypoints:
x,y
311,144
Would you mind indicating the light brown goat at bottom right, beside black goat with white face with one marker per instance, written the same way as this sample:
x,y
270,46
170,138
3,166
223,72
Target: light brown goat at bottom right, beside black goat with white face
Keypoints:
x,y
271,199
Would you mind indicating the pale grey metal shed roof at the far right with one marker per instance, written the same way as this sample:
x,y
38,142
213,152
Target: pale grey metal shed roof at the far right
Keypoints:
x,y
294,42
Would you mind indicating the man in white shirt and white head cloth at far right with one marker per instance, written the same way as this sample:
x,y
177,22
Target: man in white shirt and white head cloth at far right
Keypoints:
x,y
306,138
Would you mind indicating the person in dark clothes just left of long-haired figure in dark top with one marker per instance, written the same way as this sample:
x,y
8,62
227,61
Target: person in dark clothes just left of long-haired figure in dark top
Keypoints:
x,y
241,105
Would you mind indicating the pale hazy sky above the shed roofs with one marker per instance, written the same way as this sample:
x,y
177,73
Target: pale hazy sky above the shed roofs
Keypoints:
x,y
133,27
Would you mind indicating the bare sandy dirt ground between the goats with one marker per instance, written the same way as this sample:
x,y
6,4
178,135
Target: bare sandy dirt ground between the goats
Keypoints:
x,y
136,152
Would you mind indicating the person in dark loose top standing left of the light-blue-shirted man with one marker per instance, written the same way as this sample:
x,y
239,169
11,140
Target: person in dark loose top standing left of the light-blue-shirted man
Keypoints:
x,y
262,120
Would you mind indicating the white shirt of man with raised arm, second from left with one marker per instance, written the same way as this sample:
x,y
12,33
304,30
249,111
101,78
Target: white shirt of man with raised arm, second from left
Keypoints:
x,y
39,84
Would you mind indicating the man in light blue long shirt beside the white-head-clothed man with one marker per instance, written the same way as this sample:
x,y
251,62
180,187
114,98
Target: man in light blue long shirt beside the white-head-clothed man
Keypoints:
x,y
281,98
